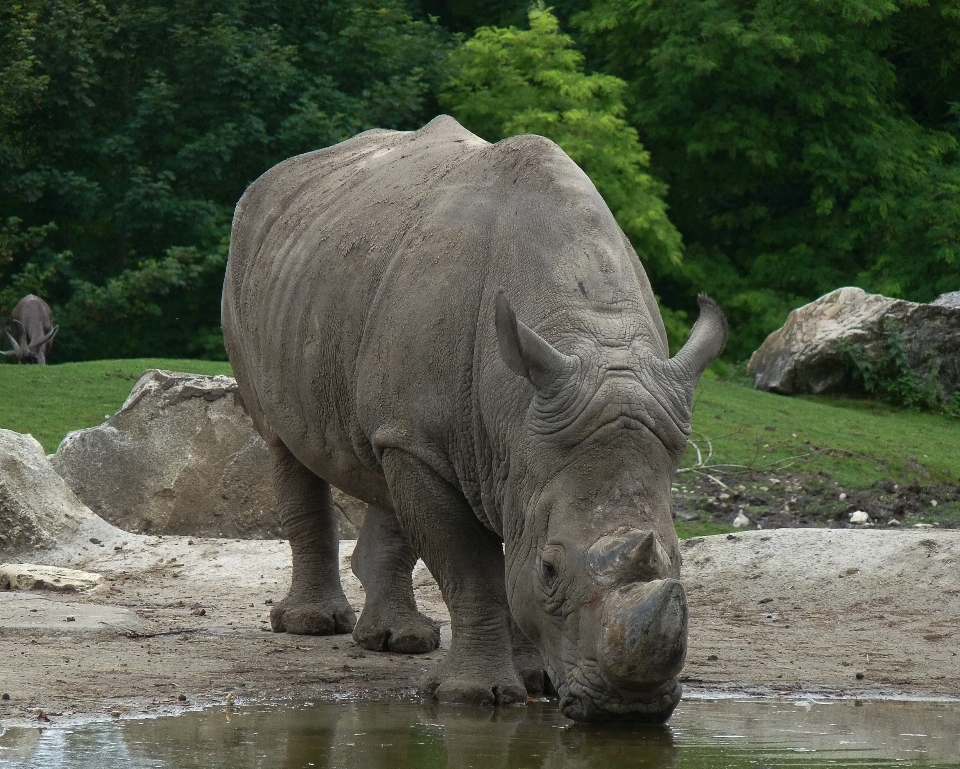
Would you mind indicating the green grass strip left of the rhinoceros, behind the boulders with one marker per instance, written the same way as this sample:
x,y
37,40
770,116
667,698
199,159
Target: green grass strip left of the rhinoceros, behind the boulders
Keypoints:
x,y
50,401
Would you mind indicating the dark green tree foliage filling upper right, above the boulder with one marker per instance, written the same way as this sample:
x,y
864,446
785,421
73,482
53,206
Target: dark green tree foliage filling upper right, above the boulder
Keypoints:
x,y
795,162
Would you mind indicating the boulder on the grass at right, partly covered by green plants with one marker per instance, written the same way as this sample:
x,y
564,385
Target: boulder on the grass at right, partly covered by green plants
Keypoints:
x,y
804,356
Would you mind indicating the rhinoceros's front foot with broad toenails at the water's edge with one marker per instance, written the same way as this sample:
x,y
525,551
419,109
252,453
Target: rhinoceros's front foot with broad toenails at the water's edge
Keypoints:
x,y
458,684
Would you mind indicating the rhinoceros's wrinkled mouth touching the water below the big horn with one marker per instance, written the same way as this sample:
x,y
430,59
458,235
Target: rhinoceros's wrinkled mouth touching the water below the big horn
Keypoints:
x,y
656,705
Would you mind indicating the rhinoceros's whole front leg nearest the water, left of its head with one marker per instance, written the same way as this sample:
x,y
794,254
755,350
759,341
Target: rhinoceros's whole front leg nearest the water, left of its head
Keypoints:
x,y
466,559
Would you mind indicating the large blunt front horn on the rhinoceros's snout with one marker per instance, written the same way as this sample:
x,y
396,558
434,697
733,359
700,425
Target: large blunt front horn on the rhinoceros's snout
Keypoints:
x,y
643,642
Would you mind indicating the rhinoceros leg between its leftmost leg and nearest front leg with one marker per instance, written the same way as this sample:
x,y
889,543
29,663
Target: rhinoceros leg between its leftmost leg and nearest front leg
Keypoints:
x,y
383,561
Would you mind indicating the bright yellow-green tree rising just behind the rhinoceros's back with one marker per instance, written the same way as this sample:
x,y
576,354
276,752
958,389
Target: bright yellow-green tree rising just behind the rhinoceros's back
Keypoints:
x,y
507,81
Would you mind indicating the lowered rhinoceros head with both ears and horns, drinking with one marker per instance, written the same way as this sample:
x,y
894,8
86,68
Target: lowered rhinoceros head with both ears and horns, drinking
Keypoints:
x,y
593,561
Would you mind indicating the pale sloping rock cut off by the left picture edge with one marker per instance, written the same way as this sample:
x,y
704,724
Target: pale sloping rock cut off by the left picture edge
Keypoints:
x,y
38,511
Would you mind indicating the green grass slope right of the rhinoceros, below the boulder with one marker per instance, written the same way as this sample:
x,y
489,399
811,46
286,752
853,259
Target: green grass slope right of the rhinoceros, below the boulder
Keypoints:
x,y
854,442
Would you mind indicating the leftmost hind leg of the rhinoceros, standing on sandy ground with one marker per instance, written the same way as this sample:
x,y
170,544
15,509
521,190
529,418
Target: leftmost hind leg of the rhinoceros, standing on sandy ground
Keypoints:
x,y
315,604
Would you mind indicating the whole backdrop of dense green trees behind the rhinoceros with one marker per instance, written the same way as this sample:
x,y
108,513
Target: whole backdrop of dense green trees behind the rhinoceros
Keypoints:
x,y
765,152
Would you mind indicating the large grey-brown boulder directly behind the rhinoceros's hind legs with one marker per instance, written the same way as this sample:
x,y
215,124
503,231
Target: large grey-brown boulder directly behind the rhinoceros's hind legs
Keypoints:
x,y
181,456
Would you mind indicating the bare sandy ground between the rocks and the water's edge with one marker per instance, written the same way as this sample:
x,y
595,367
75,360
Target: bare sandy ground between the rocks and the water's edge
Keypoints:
x,y
785,612
